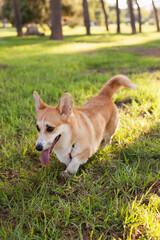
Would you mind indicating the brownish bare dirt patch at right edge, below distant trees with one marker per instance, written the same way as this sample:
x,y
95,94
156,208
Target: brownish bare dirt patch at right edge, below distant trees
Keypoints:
x,y
149,52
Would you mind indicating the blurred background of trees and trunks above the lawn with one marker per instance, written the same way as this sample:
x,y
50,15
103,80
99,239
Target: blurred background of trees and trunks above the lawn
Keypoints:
x,y
55,17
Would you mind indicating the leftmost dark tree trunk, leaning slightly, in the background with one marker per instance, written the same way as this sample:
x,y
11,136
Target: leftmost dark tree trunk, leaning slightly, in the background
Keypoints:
x,y
17,17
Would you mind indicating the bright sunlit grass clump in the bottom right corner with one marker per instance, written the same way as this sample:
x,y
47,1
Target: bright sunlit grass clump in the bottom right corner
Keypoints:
x,y
143,218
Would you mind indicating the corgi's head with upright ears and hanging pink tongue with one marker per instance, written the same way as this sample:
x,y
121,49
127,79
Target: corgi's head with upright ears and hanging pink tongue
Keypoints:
x,y
53,124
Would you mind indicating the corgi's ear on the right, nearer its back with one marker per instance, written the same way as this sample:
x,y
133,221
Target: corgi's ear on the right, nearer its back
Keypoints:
x,y
65,105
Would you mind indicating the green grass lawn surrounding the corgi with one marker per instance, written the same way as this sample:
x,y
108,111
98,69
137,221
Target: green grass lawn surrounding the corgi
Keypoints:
x,y
116,193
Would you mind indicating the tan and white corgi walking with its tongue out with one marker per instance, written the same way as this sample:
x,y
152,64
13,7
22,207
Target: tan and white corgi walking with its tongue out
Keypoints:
x,y
74,134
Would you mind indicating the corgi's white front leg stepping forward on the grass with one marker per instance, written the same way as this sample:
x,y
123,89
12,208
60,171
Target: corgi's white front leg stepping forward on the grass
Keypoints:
x,y
76,161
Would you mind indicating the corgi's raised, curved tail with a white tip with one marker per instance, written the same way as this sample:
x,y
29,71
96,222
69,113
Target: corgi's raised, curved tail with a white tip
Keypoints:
x,y
115,83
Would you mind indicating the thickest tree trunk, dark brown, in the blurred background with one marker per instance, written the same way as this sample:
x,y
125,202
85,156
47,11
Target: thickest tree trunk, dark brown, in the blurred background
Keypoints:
x,y
56,25
